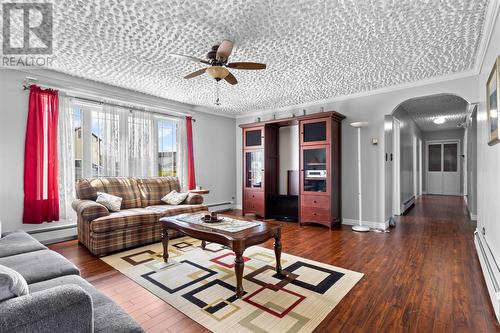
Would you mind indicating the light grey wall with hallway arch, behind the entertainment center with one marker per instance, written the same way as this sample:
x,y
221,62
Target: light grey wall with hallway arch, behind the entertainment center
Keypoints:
x,y
371,108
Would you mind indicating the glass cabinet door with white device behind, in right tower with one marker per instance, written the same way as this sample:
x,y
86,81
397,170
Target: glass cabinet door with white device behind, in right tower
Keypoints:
x,y
315,162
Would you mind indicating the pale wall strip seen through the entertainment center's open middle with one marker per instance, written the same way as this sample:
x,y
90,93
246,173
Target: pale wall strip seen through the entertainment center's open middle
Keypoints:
x,y
288,154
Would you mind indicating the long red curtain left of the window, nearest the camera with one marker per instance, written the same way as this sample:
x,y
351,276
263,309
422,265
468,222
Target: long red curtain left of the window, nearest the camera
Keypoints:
x,y
41,194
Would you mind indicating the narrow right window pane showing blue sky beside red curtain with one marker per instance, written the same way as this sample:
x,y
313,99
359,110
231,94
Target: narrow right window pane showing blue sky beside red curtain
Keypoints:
x,y
167,147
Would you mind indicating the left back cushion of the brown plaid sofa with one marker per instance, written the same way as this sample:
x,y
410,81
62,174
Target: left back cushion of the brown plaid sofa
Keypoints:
x,y
123,187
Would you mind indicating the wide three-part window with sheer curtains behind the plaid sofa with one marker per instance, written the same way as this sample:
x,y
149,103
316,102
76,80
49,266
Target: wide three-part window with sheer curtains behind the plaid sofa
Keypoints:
x,y
117,142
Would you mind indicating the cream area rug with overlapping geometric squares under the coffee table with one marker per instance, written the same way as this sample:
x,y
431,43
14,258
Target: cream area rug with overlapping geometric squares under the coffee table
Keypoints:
x,y
200,283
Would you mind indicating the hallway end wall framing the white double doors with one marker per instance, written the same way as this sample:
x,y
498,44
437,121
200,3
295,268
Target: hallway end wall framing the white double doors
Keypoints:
x,y
451,134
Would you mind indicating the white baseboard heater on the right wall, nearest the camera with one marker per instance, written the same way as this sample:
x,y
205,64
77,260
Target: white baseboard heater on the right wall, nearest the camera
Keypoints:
x,y
491,270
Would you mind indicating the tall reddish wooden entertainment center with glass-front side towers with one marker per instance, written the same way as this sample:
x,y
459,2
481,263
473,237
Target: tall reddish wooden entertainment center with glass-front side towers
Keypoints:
x,y
319,174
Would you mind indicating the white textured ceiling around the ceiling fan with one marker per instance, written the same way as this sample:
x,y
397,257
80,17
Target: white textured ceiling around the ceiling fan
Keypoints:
x,y
314,49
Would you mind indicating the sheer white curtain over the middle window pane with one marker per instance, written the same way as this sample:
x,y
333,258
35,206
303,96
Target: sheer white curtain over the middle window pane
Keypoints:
x,y
142,144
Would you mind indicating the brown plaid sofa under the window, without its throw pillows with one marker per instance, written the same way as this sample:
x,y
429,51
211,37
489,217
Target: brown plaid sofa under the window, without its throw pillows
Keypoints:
x,y
137,222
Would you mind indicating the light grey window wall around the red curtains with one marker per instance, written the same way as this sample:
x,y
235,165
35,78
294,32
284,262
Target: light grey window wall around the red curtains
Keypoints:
x,y
214,146
